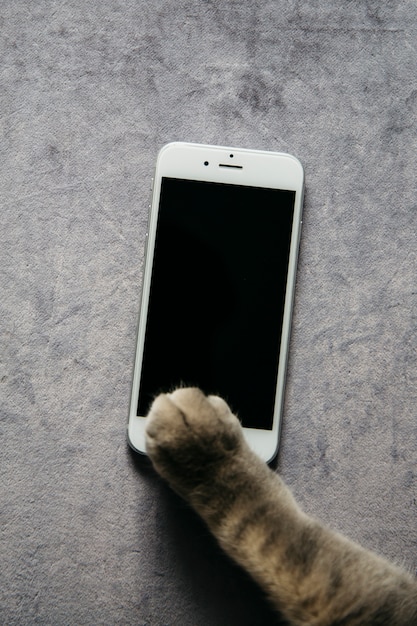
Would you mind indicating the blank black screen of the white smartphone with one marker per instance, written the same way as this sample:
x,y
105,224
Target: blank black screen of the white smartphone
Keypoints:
x,y
217,295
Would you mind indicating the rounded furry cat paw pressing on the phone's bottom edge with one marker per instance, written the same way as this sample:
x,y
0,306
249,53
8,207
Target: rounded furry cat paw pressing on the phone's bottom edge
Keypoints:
x,y
188,434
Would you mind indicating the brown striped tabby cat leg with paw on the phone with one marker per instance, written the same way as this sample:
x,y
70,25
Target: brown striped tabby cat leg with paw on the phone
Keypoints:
x,y
312,575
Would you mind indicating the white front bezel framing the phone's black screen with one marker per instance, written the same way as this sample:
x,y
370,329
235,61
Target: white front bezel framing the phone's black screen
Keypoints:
x,y
246,167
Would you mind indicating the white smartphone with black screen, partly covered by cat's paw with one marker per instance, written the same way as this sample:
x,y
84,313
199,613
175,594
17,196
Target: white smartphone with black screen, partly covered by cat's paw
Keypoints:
x,y
218,284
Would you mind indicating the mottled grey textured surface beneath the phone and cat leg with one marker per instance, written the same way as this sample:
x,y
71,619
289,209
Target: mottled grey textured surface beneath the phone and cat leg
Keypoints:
x,y
89,92
